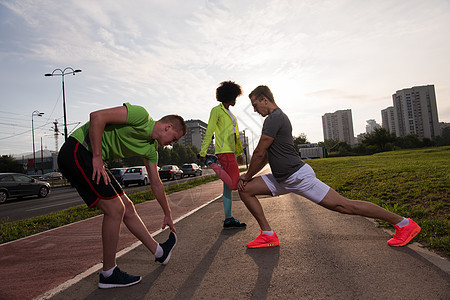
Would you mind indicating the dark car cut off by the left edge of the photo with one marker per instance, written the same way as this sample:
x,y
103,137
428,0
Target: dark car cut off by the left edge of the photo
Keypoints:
x,y
16,185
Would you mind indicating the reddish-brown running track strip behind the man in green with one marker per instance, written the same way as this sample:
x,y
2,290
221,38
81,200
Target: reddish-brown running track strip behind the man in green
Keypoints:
x,y
37,264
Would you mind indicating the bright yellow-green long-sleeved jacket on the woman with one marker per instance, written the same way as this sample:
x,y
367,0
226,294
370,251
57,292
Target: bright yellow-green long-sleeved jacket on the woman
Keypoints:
x,y
220,124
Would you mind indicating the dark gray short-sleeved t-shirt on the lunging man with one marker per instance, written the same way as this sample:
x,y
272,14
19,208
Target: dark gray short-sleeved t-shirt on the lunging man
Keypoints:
x,y
282,156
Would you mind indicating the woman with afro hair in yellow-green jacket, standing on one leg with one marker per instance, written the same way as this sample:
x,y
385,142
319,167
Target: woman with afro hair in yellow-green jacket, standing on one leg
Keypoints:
x,y
228,147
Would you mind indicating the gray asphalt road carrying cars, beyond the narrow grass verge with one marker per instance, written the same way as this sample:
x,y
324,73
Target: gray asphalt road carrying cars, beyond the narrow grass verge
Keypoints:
x,y
60,198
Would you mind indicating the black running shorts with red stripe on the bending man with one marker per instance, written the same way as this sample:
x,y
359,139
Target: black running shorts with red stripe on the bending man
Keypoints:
x,y
75,163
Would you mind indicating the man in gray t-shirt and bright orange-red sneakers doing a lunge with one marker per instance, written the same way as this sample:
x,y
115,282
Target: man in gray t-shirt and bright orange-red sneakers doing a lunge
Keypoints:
x,y
292,175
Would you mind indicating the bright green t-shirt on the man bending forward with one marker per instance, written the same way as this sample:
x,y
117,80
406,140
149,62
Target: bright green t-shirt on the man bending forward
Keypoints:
x,y
134,138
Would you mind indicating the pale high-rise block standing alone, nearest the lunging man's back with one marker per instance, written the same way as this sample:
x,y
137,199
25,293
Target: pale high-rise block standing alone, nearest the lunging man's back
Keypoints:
x,y
339,126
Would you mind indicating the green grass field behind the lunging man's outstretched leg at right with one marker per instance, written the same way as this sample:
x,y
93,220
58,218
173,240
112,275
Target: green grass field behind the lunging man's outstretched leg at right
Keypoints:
x,y
412,183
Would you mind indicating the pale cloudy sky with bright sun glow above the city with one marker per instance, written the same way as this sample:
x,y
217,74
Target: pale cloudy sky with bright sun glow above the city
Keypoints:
x,y
169,56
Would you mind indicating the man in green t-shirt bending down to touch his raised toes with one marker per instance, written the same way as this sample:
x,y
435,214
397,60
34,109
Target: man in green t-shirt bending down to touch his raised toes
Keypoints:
x,y
113,133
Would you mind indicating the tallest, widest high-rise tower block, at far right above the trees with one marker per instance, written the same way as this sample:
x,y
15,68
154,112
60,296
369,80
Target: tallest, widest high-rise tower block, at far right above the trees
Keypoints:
x,y
415,112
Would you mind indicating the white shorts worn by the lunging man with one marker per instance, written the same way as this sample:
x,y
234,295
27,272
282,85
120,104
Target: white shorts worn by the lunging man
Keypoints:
x,y
303,182
